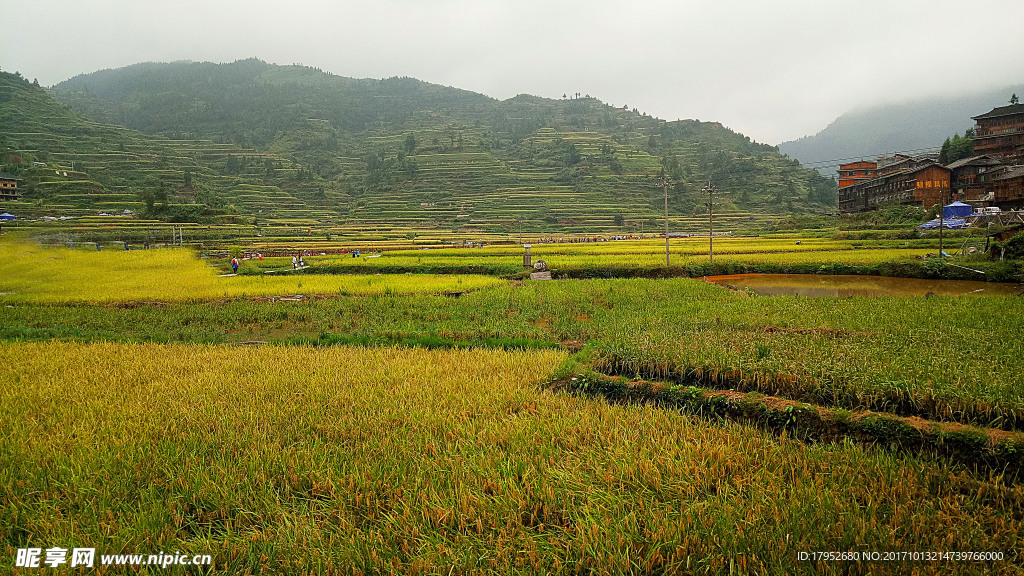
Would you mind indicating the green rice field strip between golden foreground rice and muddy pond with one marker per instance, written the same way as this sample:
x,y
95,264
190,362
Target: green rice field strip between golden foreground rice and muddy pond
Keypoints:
x,y
944,358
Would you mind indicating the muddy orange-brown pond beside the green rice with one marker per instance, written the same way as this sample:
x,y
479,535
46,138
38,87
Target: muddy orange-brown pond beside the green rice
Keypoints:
x,y
839,286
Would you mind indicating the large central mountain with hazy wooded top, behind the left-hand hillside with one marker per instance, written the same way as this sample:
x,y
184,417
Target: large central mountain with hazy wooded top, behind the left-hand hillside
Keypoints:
x,y
403,150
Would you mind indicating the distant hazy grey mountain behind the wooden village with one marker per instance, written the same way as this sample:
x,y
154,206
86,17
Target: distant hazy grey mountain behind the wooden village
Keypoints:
x,y
921,126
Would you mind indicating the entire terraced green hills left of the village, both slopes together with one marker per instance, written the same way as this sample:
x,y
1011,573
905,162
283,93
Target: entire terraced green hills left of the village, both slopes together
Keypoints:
x,y
295,148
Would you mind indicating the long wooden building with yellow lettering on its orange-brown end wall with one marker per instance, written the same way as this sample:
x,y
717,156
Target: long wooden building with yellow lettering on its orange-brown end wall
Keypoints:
x,y
924,185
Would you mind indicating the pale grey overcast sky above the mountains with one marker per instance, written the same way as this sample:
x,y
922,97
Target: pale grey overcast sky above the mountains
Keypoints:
x,y
775,70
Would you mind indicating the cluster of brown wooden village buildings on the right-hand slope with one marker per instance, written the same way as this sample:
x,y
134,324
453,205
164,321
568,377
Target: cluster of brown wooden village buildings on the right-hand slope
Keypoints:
x,y
992,179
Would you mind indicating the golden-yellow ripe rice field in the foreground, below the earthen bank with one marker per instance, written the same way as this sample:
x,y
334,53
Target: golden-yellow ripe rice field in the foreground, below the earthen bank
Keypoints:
x,y
294,461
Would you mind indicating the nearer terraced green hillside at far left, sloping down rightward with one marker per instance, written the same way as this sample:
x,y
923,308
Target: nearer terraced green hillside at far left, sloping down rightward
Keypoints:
x,y
73,167
